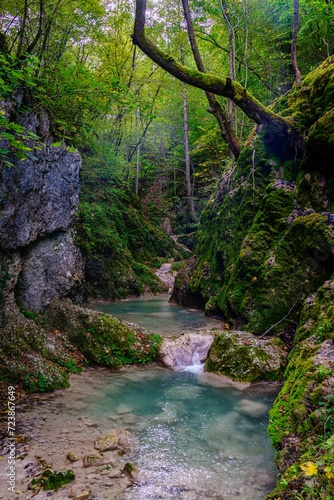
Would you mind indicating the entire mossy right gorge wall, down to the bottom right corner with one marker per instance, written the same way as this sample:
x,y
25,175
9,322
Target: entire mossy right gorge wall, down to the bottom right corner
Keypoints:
x,y
264,264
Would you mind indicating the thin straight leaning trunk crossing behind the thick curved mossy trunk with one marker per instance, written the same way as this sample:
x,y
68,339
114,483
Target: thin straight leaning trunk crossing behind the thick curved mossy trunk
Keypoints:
x,y
215,107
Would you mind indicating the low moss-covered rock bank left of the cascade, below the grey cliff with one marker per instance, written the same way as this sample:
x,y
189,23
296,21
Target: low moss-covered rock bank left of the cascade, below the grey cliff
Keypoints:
x,y
40,353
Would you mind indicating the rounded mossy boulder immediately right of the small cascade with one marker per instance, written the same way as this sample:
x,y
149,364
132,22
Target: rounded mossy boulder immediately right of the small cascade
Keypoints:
x,y
243,357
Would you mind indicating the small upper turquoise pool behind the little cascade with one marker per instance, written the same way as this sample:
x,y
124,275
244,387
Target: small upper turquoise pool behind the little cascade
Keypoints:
x,y
158,315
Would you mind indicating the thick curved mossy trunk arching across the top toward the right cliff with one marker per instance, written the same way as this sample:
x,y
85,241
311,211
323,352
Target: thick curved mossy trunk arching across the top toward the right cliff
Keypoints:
x,y
276,125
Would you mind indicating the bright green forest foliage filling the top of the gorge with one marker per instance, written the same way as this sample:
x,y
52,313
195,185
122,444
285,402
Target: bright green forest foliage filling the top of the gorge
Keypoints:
x,y
76,60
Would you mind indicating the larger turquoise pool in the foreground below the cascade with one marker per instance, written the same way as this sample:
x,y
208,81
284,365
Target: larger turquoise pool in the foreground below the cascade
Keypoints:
x,y
195,439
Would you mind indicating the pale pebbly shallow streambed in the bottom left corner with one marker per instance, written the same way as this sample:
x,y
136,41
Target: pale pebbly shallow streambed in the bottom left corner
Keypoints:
x,y
54,434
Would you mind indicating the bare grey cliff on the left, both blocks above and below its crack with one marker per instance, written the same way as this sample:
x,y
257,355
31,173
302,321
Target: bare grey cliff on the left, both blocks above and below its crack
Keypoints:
x,y
38,199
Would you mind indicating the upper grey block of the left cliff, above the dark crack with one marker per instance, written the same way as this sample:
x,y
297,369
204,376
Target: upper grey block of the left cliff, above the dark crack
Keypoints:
x,y
38,197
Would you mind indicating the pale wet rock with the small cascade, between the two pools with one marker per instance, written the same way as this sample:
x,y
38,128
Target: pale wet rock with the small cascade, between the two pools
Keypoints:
x,y
189,349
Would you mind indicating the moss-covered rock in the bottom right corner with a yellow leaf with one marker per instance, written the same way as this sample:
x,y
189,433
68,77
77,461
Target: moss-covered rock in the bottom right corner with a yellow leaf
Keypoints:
x,y
302,418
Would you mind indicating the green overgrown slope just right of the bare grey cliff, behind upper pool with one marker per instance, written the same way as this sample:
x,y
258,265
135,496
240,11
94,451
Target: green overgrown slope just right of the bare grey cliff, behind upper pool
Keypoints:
x,y
120,241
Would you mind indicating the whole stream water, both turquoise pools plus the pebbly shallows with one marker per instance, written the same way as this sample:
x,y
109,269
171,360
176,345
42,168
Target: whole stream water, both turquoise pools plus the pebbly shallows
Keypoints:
x,y
197,435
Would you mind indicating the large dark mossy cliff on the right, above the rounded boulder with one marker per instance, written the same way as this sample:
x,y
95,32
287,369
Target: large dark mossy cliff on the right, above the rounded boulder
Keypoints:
x,y
265,242
